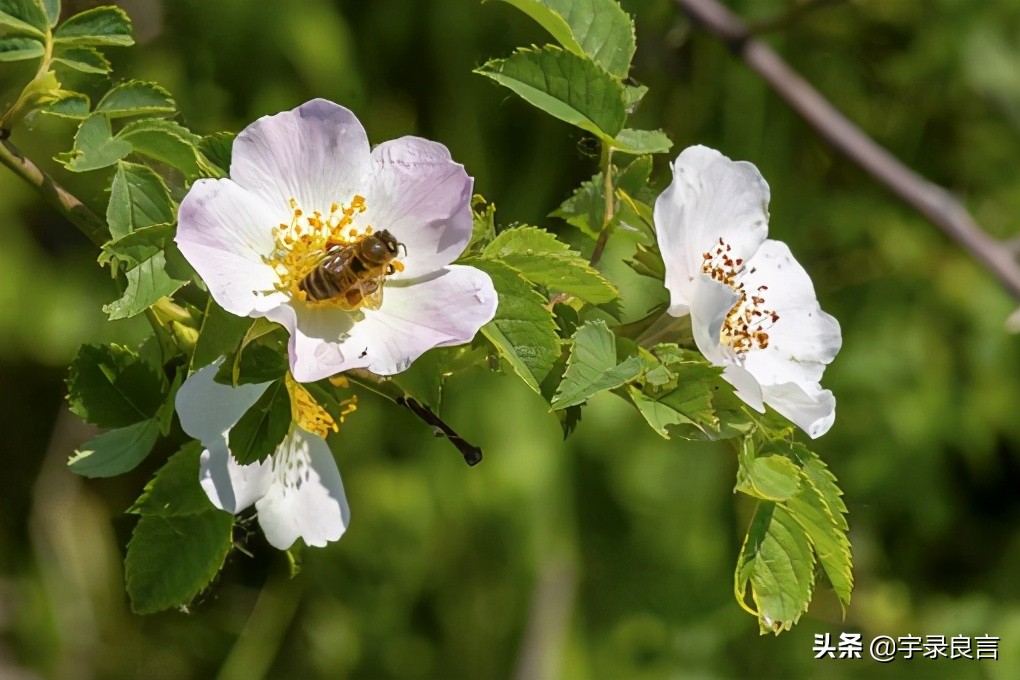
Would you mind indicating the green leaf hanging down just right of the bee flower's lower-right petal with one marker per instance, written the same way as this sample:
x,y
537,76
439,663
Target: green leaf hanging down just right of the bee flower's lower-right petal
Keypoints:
x,y
523,332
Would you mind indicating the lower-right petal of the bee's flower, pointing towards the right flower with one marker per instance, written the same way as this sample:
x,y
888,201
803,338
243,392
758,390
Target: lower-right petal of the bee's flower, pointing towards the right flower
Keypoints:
x,y
446,309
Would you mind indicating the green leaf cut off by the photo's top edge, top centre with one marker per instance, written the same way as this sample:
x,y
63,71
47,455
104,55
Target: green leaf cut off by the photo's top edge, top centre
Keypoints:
x,y
598,29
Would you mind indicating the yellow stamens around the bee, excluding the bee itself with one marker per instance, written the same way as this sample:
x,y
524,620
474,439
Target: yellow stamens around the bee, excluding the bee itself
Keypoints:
x,y
303,243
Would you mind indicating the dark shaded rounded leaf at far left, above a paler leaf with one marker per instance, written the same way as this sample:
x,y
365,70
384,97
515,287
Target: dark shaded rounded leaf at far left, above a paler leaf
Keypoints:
x,y
110,386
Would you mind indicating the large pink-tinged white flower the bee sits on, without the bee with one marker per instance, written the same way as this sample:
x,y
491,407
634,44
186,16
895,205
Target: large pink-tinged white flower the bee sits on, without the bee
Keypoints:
x,y
305,182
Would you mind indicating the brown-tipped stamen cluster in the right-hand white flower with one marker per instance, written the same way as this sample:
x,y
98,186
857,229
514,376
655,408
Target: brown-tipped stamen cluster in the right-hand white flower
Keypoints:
x,y
747,324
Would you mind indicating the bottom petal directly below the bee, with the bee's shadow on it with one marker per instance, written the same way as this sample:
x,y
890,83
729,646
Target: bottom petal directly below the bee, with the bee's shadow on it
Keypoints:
x,y
323,341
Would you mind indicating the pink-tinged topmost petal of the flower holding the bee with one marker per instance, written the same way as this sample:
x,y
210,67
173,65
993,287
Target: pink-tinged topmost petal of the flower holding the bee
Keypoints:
x,y
317,154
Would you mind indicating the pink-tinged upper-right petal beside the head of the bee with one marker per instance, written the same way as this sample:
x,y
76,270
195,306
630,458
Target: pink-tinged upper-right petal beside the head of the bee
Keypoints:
x,y
424,198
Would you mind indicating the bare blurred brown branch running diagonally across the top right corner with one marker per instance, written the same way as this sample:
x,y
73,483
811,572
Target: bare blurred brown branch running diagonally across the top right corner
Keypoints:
x,y
934,202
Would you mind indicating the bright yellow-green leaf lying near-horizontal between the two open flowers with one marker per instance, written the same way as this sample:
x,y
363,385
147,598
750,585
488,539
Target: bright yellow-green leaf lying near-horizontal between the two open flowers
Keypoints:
x,y
546,261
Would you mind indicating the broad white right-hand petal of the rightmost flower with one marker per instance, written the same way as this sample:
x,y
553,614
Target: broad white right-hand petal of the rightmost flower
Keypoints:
x,y
805,339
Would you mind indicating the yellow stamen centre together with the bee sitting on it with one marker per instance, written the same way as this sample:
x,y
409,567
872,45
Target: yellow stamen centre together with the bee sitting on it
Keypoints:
x,y
313,241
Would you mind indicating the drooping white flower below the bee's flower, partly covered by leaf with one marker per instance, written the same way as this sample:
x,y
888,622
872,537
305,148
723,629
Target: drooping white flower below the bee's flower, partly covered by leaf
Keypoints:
x,y
297,491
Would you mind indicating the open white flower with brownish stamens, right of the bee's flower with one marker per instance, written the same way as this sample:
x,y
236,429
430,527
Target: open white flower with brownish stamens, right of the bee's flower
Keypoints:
x,y
753,308
